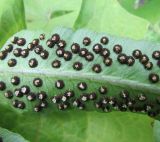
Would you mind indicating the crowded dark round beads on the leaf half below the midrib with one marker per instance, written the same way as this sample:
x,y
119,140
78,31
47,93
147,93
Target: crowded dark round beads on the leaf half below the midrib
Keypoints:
x,y
123,101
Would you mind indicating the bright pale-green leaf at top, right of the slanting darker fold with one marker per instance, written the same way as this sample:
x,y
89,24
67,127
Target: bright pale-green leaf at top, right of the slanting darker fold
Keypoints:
x,y
108,16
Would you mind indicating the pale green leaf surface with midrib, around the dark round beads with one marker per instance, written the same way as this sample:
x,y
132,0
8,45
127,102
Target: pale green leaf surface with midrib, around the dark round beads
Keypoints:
x,y
115,78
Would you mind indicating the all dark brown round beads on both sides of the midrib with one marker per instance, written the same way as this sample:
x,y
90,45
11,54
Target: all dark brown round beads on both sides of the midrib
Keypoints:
x,y
123,101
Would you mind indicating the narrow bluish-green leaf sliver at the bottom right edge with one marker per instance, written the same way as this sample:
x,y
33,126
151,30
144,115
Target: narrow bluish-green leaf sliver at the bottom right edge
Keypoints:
x,y
156,131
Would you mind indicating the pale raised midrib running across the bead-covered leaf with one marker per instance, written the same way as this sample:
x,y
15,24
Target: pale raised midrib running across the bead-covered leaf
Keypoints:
x,y
113,80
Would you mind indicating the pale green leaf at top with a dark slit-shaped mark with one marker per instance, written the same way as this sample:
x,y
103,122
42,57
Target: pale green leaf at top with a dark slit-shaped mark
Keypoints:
x,y
51,14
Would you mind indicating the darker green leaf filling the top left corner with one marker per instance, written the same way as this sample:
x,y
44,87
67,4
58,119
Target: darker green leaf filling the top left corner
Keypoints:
x,y
12,18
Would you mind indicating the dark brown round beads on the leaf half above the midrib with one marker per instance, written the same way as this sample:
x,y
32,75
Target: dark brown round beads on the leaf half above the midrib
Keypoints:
x,y
75,48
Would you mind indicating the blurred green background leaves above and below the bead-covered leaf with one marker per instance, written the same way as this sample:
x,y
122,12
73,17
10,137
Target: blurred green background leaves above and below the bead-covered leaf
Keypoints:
x,y
132,19
